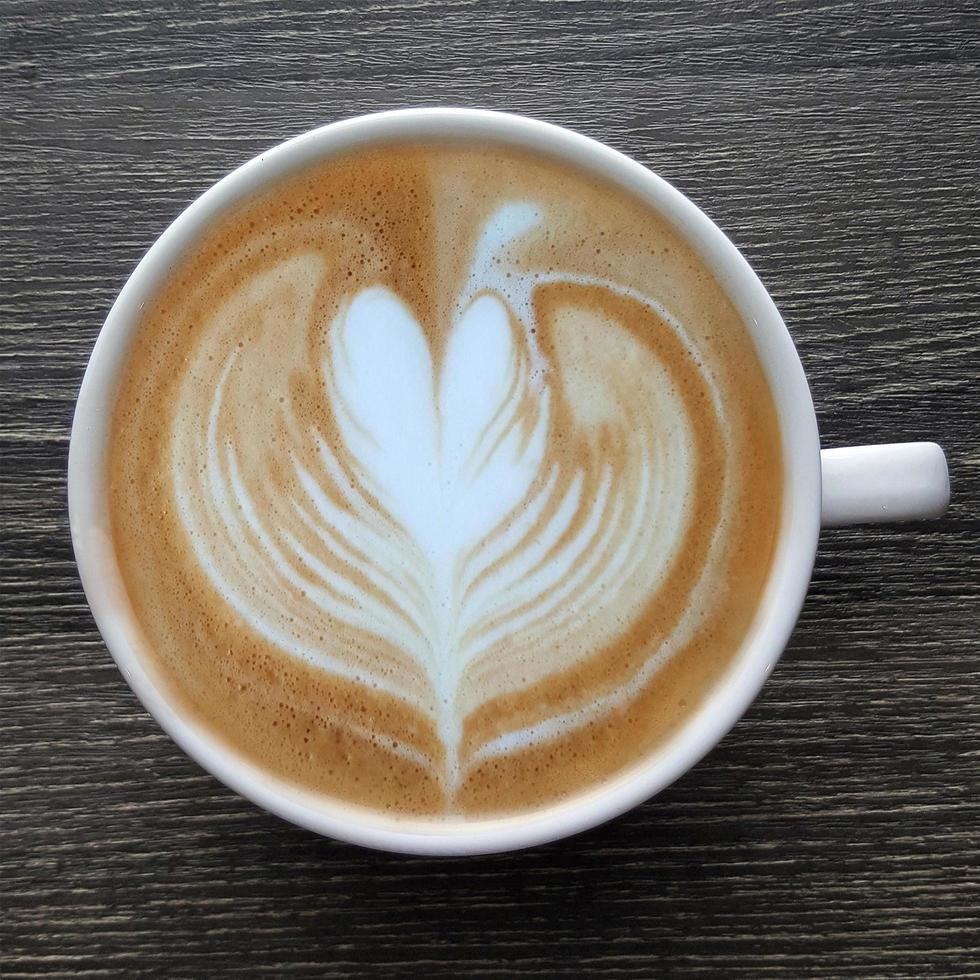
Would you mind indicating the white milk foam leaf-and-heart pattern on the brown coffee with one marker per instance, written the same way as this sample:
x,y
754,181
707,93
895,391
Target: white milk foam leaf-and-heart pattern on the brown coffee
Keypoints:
x,y
441,528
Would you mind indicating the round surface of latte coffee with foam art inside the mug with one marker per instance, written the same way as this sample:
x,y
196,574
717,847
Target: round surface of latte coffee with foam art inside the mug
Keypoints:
x,y
444,480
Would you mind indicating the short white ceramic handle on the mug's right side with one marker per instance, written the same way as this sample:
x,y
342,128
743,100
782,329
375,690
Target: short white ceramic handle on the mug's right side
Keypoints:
x,y
904,481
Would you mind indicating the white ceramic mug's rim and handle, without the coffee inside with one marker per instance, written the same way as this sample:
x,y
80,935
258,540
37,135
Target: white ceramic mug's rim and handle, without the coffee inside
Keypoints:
x,y
838,486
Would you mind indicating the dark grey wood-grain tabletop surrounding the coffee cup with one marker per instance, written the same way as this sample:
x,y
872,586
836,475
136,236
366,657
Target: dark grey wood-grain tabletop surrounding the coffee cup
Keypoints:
x,y
834,832
